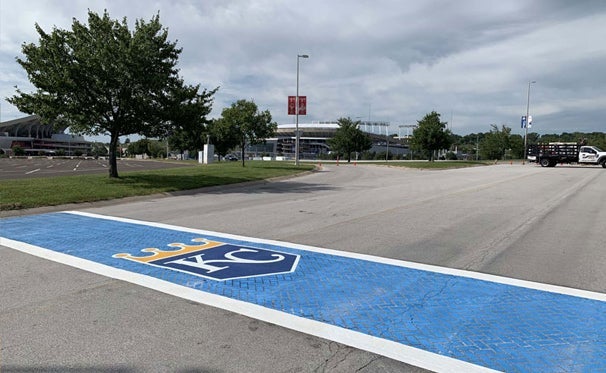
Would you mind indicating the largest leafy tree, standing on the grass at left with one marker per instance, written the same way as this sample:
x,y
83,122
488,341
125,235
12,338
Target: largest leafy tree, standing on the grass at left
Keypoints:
x,y
102,78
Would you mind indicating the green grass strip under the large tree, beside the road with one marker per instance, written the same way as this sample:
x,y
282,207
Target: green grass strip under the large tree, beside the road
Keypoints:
x,y
50,191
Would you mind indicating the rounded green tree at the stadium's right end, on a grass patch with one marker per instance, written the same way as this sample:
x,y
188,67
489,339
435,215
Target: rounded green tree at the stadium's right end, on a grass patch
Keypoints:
x,y
431,135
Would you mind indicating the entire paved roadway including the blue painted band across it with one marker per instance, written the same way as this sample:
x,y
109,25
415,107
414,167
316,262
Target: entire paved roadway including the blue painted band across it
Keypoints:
x,y
528,223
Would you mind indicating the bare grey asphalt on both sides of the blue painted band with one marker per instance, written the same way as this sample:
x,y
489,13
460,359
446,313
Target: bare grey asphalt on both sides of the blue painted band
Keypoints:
x,y
524,222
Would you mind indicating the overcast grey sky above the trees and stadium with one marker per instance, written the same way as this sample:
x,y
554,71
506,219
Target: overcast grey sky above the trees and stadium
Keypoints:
x,y
394,61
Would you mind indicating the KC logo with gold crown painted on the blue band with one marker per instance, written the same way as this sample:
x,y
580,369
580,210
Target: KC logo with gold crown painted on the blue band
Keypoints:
x,y
217,260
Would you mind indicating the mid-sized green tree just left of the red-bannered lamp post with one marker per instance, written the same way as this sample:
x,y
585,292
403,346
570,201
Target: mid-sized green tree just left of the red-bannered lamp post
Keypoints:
x,y
247,124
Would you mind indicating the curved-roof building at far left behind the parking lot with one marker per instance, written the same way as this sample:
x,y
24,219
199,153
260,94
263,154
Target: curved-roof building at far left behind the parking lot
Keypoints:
x,y
36,138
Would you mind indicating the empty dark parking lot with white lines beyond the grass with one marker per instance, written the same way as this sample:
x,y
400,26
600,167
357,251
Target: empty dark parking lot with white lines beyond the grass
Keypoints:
x,y
20,168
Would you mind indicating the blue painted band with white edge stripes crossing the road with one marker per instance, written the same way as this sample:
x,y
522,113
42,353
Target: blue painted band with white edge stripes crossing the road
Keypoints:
x,y
436,318
